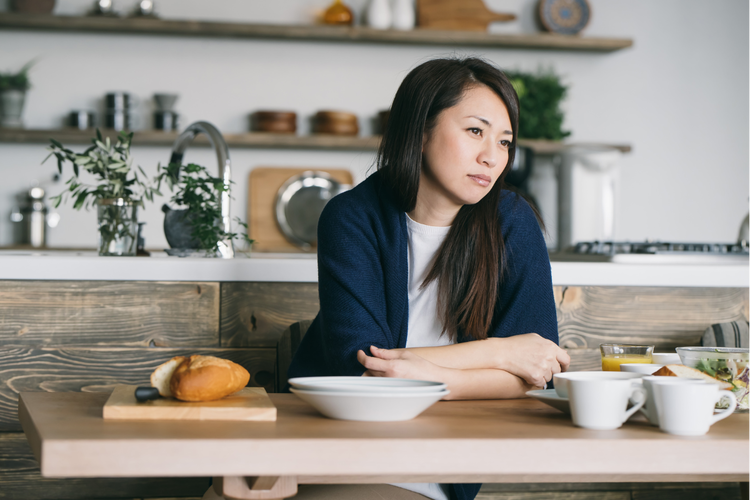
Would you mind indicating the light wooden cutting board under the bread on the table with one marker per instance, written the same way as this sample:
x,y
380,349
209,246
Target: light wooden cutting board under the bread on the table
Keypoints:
x,y
251,403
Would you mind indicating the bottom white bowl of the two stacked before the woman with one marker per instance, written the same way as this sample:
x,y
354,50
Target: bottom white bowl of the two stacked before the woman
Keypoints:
x,y
368,406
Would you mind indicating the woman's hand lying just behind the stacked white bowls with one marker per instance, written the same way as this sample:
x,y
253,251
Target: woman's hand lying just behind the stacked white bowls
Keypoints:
x,y
399,364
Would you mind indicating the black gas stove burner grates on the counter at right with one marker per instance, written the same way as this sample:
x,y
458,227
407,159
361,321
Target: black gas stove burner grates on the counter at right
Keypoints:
x,y
660,248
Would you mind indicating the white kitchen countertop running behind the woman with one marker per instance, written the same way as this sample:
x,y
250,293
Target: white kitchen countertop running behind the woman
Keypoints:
x,y
63,266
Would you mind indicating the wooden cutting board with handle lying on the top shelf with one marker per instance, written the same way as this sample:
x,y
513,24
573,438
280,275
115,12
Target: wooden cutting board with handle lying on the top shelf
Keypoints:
x,y
463,15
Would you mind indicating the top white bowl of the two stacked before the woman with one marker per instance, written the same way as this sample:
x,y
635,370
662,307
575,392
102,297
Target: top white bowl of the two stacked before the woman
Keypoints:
x,y
366,384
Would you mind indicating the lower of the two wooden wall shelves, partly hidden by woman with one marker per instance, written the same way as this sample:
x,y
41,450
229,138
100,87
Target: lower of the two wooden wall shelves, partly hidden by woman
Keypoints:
x,y
255,140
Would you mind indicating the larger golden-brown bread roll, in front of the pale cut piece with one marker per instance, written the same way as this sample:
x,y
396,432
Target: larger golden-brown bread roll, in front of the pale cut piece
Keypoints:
x,y
206,378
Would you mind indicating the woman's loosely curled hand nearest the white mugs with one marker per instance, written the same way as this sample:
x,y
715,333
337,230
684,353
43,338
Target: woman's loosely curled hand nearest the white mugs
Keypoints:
x,y
532,358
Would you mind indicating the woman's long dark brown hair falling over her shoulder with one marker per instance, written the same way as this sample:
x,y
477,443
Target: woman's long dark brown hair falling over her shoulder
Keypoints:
x,y
469,263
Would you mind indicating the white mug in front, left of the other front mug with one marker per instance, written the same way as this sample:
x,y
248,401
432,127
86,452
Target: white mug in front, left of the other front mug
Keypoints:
x,y
603,404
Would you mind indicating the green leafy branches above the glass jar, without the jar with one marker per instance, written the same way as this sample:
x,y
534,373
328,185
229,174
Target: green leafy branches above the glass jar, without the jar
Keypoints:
x,y
110,163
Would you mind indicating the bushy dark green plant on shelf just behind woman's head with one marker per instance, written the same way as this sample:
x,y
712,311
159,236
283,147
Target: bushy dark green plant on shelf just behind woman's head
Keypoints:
x,y
540,95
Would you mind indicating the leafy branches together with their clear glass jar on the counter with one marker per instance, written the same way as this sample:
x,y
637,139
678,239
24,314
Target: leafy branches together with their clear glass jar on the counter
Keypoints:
x,y
117,194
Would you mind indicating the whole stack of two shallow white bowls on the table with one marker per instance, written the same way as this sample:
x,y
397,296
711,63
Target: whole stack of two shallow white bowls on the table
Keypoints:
x,y
371,399
